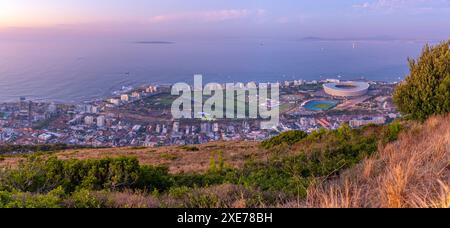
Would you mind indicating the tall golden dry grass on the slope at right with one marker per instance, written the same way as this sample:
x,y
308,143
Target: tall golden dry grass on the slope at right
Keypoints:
x,y
411,172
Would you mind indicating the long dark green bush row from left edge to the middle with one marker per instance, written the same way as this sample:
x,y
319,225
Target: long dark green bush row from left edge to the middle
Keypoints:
x,y
39,175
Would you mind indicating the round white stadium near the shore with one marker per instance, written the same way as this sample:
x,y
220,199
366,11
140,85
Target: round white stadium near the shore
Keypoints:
x,y
346,89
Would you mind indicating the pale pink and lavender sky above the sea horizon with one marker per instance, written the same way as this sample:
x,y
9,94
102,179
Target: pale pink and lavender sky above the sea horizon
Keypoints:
x,y
169,19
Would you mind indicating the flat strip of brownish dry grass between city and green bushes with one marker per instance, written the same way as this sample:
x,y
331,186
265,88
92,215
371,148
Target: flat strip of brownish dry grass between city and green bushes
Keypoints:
x,y
178,159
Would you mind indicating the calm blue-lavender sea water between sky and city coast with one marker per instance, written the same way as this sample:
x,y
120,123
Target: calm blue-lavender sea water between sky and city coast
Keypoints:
x,y
78,71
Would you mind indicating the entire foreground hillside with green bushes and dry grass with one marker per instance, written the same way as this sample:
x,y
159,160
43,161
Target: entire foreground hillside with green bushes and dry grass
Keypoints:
x,y
404,164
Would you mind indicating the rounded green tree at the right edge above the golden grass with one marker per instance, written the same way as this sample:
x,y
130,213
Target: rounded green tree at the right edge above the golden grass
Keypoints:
x,y
426,90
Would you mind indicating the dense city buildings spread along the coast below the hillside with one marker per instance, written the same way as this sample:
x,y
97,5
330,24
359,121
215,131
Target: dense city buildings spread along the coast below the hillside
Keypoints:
x,y
141,117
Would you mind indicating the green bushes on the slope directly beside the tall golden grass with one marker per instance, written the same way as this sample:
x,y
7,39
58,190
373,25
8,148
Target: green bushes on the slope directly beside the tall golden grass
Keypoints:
x,y
323,153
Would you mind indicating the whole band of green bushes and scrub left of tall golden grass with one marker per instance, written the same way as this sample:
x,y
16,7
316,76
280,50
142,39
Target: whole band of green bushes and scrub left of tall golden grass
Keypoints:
x,y
284,176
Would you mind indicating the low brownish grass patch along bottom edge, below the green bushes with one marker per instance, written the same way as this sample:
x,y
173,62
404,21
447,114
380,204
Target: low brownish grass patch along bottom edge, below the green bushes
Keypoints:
x,y
218,196
